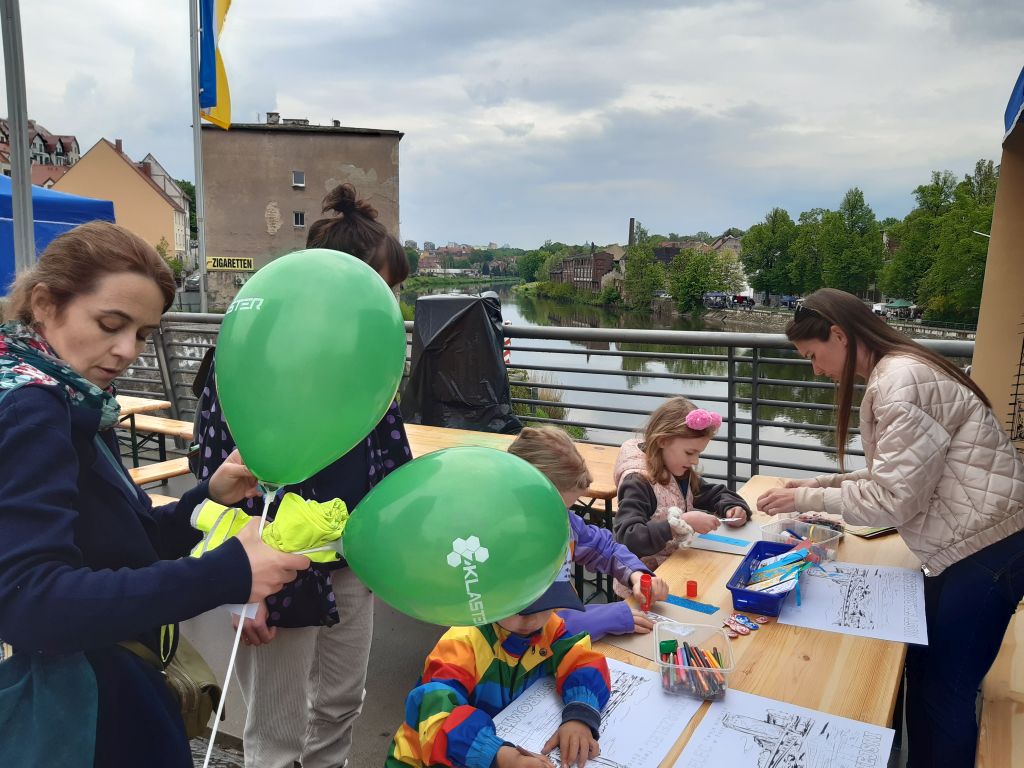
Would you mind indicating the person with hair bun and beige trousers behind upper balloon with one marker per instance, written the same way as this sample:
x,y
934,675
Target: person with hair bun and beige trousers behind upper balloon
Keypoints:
x,y
303,668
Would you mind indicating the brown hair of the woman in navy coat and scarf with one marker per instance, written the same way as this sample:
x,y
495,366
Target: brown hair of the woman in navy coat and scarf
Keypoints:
x,y
74,263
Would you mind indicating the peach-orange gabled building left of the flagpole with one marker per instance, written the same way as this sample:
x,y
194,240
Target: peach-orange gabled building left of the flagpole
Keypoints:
x,y
142,202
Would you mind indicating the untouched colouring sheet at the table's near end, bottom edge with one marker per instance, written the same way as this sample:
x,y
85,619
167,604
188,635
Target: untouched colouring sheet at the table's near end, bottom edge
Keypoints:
x,y
748,732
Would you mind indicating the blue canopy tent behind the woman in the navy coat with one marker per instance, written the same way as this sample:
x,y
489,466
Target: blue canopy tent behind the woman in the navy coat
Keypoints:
x,y
54,212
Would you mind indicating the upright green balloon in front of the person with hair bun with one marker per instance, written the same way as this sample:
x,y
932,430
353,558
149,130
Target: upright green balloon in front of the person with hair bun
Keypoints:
x,y
310,358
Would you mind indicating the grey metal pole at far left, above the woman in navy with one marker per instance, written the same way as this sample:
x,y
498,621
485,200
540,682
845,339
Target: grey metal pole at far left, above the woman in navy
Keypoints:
x,y
18,119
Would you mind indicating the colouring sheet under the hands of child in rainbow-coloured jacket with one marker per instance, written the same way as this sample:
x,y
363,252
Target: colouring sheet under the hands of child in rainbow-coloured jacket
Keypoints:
x,y
638,728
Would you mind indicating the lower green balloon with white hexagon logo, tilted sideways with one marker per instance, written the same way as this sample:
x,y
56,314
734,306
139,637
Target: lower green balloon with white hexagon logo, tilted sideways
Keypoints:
x,y
465,536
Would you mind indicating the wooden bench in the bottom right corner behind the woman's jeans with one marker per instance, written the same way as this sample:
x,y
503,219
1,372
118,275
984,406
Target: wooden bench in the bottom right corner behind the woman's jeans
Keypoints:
x,y
1001,741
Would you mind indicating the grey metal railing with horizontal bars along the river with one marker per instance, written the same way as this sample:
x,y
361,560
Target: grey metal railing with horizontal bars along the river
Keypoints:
x,y
601,385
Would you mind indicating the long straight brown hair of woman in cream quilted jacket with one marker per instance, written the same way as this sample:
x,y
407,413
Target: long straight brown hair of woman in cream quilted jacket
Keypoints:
x,y
865,330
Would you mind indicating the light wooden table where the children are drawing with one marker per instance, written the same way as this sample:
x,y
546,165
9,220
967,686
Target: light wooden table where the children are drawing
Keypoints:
x,y
852,677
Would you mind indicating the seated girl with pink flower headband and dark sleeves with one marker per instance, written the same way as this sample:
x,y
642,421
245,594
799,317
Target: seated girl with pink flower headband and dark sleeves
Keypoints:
x,y
661,494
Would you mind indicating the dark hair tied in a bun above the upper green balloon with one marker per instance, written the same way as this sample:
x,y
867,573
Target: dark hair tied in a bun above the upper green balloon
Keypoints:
x,y
356,231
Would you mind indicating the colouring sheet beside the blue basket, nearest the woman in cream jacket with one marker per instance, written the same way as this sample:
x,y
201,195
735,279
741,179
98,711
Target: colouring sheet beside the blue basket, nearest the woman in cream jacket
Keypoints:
x,y
879,602
